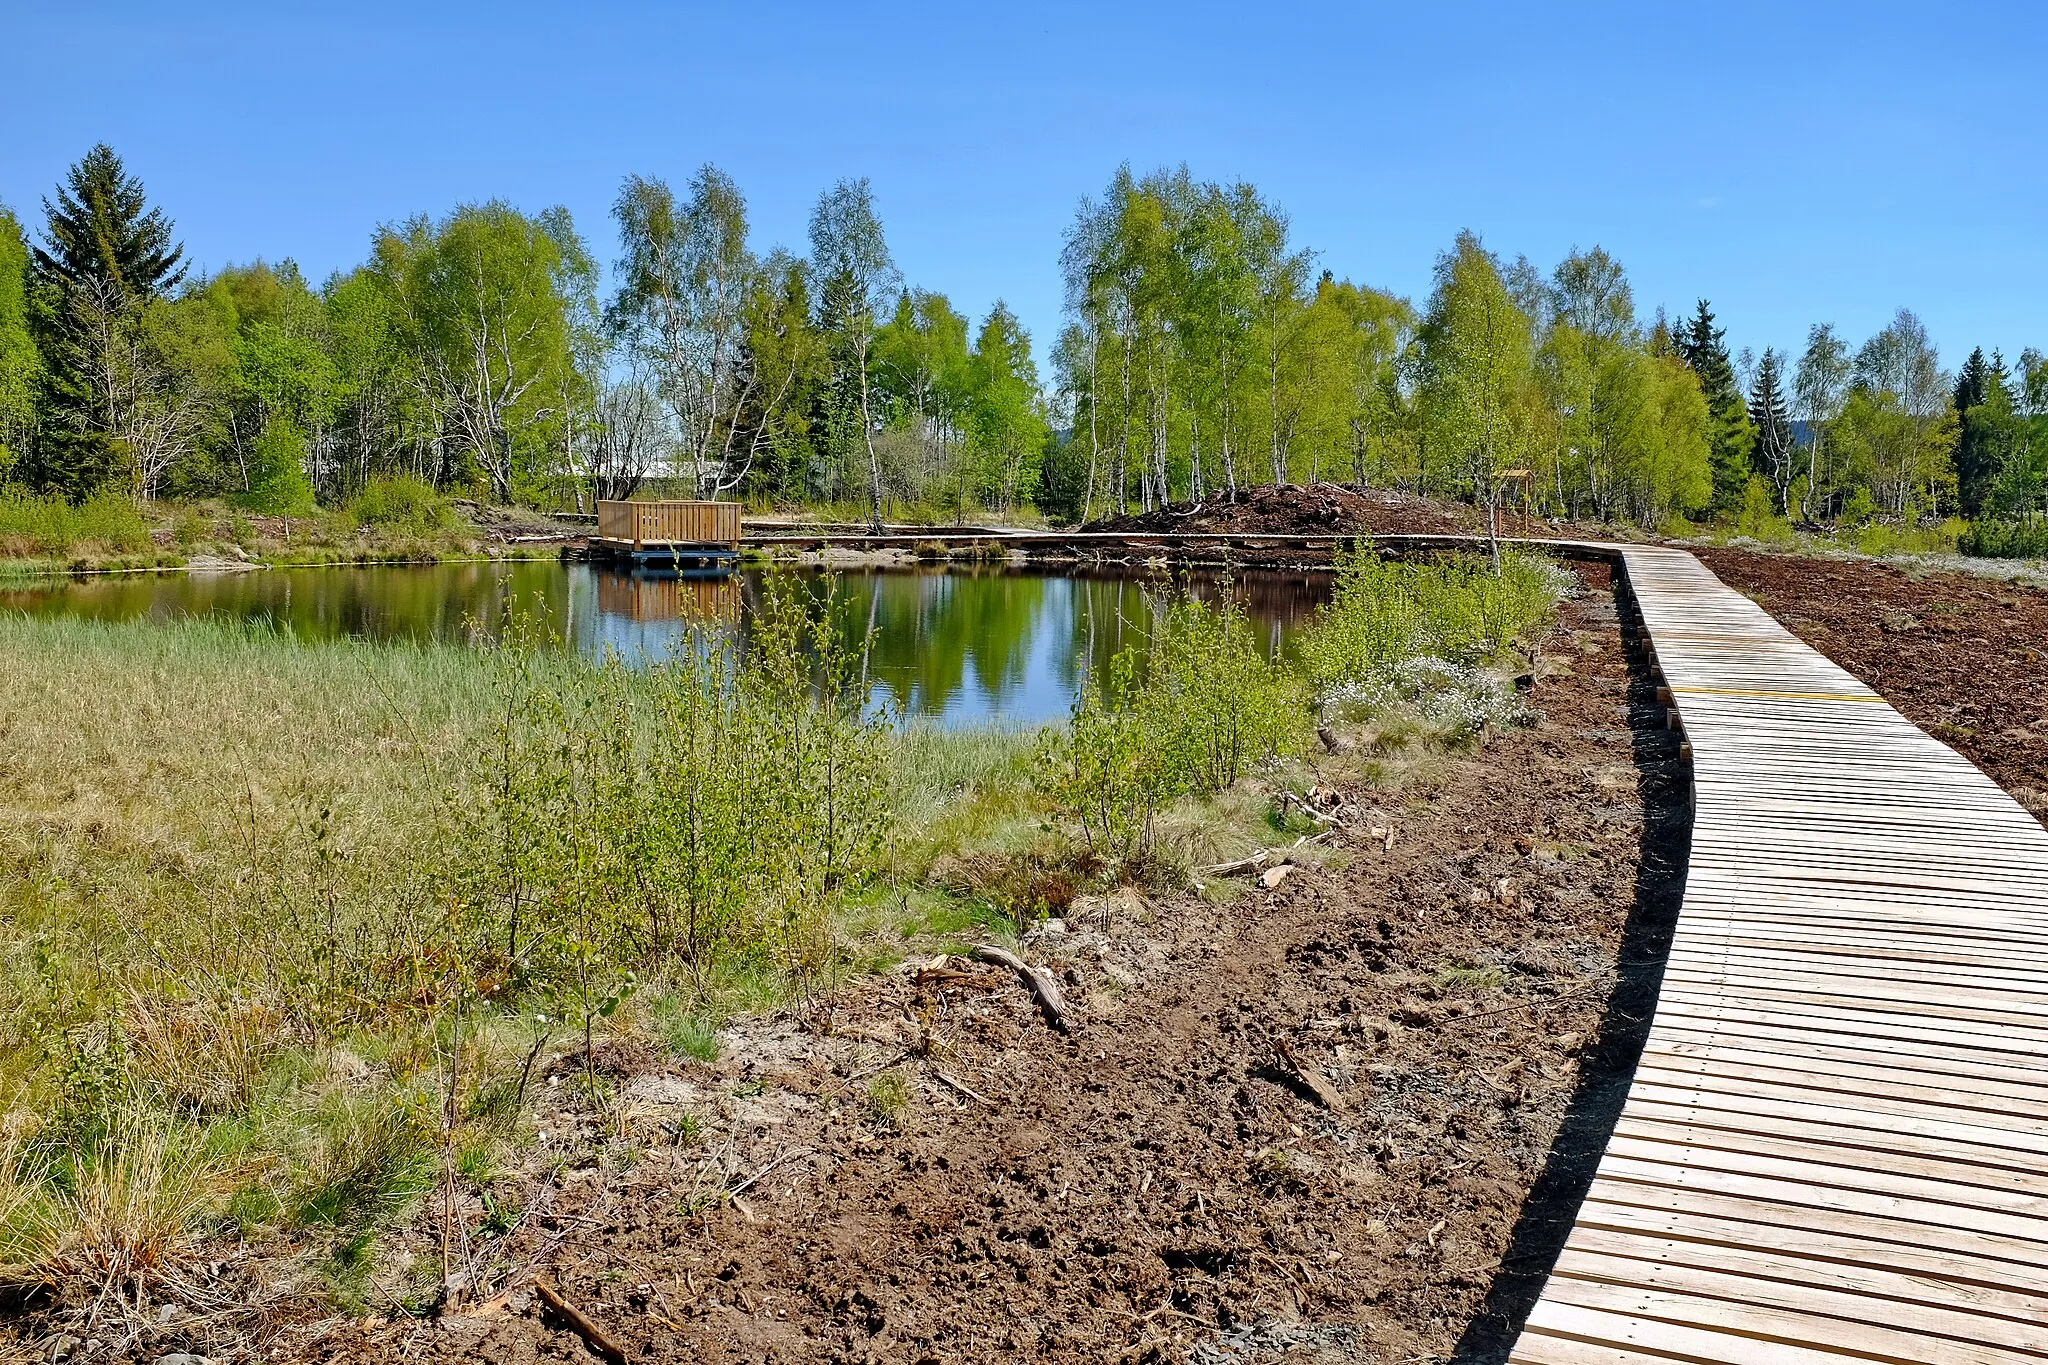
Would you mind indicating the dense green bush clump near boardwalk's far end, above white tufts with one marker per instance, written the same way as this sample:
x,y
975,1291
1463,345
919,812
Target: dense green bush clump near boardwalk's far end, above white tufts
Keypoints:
x,y
1459,611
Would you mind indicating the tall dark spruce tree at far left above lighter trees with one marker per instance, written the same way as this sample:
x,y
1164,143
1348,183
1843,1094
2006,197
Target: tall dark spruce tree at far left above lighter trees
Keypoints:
x,y
103,253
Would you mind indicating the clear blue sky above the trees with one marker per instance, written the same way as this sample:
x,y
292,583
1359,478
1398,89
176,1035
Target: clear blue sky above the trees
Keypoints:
x,y
1793,165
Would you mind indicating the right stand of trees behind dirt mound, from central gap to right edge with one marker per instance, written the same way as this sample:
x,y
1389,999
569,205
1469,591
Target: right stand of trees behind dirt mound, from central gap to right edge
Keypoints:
x,y
1207,351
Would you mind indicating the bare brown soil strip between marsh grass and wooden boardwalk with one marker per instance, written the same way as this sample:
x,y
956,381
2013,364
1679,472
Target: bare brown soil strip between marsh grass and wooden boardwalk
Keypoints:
x,y
1347,1118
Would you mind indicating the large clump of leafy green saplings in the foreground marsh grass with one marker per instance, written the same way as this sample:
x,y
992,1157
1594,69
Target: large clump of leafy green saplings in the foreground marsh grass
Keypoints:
x,y
712,807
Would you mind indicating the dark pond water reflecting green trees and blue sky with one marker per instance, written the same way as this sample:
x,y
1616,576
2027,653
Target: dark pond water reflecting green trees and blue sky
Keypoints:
x,y
953,646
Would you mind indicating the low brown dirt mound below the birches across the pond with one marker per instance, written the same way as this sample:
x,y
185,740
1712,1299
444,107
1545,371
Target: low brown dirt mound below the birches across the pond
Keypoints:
x,y
1312,511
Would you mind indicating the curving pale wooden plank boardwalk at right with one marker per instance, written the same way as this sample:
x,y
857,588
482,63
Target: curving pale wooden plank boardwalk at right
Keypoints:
x,y
1836,1147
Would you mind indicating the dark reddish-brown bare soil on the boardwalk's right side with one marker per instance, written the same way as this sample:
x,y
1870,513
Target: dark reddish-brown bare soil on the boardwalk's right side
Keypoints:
x,y
1963,658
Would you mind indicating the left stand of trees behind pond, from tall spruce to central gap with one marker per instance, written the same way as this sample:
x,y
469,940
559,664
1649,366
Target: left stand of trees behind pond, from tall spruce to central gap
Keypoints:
x,y
476,353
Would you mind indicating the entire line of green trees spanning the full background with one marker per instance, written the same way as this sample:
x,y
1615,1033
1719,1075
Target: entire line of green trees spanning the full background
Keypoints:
x,y
1205,351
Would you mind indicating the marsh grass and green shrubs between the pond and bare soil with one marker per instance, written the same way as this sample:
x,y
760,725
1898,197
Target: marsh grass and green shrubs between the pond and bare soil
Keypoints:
x,y
298,928
